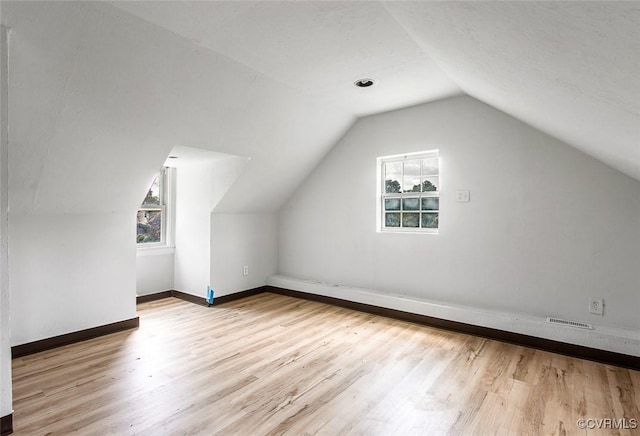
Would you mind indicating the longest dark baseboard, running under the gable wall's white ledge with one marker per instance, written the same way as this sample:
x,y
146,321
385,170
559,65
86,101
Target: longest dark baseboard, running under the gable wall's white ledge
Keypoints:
x,y
594,354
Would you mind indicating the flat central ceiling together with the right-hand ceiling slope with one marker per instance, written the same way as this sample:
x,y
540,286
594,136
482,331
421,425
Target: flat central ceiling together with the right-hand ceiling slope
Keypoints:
x,y
571,69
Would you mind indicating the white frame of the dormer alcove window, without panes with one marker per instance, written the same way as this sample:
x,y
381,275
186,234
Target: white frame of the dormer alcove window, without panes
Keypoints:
x,y
166,208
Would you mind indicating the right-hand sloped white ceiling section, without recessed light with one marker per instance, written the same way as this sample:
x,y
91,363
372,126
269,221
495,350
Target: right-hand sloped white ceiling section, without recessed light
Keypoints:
x,y
571,69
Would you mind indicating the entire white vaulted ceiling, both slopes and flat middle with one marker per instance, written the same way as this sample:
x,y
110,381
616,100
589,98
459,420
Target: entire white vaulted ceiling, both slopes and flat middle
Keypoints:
x,y
104,89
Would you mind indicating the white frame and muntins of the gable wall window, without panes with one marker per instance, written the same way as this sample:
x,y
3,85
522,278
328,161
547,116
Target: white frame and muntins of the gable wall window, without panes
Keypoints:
x,y
381,195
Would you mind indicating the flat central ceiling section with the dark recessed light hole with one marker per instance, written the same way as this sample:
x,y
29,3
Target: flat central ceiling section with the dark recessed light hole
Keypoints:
x,y
318,48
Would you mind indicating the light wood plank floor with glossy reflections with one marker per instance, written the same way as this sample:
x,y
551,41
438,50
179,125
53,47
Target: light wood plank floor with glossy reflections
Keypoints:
x,y
271,364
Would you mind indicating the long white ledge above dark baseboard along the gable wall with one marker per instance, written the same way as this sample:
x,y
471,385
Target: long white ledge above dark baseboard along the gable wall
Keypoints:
x,y
606,338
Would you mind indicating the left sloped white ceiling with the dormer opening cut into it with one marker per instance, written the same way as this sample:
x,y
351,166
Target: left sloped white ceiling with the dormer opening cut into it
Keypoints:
x,y
99,98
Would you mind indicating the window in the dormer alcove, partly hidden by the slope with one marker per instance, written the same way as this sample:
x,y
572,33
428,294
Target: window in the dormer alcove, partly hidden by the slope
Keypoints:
x,y
152,214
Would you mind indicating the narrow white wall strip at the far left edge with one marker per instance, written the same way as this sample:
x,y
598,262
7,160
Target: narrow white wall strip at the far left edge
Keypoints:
x,y
5,324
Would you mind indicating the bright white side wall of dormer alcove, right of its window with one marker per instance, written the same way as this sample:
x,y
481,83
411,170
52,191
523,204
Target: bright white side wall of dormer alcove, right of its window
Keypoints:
x,y
199,188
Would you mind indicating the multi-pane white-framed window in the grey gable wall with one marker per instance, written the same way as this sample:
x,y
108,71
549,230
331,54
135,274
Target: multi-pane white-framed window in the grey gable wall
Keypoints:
x,y
409,192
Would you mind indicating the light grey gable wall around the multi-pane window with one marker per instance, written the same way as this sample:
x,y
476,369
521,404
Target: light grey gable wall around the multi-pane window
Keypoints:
x,y
547,227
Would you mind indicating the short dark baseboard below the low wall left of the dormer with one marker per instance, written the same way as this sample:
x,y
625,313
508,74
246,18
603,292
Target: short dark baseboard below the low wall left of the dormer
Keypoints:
x,y
71,338
